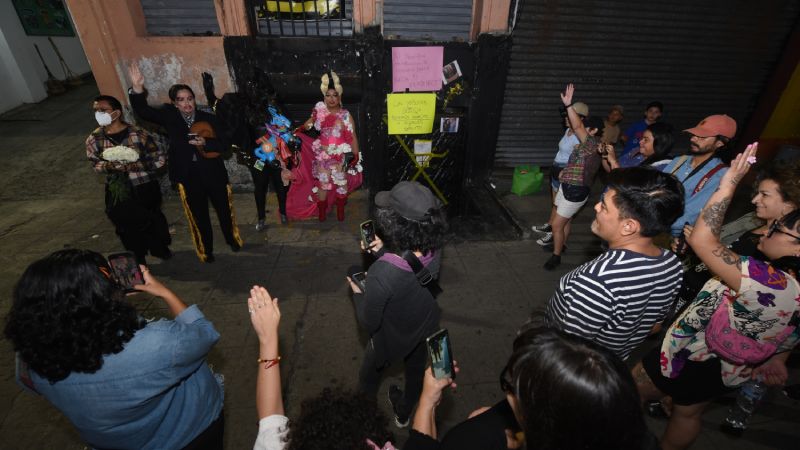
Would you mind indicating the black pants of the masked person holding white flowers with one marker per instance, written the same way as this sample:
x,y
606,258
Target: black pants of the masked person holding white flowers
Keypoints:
x,y
139,222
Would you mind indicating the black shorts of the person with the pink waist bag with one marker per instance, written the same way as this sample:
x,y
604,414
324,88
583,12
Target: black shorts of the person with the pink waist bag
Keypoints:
x,y
698,382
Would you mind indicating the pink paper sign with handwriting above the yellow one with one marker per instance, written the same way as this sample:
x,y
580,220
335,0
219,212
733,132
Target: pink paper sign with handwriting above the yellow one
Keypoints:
x,y
417,68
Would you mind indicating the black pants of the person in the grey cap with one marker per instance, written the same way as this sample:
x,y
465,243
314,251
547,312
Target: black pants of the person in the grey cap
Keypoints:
x,y
369,378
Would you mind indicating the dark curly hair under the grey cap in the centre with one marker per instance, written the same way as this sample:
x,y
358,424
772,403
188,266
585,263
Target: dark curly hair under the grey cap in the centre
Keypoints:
x,y
399,234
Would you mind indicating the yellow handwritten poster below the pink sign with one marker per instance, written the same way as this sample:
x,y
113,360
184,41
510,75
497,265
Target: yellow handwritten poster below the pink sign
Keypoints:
x,y
411,113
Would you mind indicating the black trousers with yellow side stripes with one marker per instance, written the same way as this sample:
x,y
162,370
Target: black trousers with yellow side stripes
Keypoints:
x,y
196,192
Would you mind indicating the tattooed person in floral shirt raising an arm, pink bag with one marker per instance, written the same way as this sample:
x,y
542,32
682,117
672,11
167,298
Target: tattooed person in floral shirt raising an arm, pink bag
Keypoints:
x,y
741,326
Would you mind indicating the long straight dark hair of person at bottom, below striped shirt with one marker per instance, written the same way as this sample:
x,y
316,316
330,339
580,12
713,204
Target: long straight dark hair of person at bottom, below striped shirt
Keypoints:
x,y
573,394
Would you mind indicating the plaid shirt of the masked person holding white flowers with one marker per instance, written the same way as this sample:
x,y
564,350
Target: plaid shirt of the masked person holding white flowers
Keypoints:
x,y
151,158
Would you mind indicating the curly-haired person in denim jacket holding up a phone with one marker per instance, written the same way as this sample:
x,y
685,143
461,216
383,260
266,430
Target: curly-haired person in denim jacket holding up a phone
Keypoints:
x,y
122,381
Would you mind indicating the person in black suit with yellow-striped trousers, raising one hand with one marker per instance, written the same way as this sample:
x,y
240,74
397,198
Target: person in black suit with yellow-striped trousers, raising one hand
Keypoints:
x,y
194,162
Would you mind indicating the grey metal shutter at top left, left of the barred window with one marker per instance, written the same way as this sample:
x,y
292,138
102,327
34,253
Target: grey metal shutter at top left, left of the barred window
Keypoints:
x,y
180,17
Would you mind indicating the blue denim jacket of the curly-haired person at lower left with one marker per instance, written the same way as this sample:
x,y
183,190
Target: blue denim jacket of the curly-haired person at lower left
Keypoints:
x,y
157,393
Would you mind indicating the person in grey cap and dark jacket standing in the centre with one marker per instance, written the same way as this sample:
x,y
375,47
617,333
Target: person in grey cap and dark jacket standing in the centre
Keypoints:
x,y
396,308
